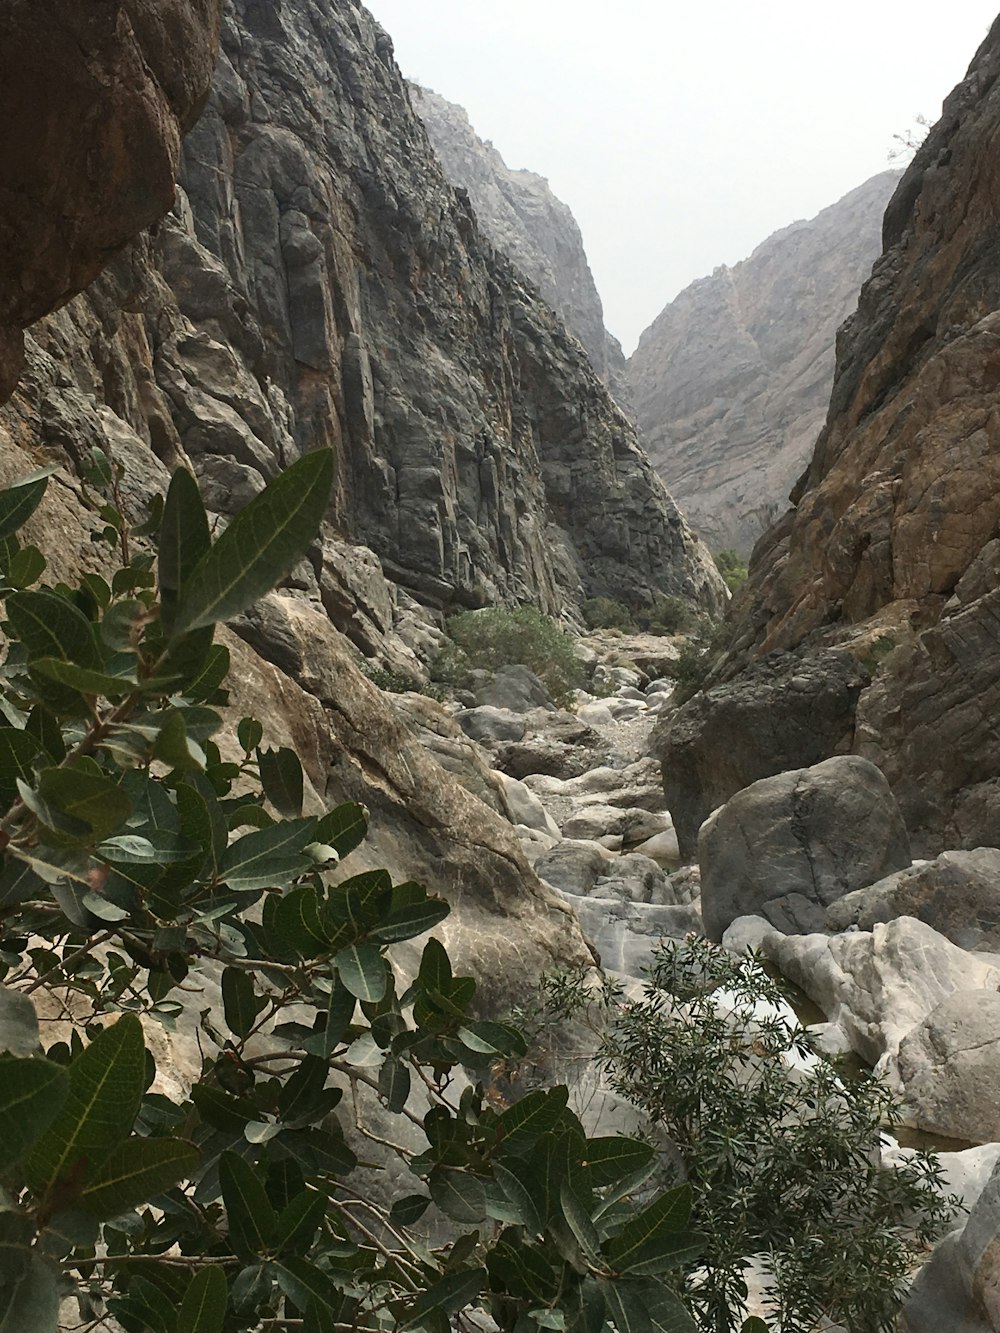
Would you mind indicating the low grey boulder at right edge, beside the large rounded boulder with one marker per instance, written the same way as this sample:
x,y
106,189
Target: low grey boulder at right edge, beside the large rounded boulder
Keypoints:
x,y
958,895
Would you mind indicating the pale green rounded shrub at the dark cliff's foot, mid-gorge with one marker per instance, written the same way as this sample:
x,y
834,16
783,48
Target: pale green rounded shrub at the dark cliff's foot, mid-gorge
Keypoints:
x,y
501,638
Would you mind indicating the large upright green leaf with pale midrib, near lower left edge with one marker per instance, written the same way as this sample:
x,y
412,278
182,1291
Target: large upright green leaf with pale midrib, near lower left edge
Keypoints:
x,y
106,1087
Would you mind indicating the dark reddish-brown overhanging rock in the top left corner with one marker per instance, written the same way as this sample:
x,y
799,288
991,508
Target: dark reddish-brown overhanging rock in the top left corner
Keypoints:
x,y
74,187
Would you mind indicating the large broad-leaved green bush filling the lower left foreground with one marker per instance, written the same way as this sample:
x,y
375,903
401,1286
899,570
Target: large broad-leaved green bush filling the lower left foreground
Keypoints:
x,y
141,866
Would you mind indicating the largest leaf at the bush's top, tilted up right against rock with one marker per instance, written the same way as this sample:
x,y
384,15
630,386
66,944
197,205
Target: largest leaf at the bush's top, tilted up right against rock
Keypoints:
x,y
261,546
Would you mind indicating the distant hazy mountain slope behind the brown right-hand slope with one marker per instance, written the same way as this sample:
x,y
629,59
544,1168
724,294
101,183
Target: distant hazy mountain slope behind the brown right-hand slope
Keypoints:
x,y
731,382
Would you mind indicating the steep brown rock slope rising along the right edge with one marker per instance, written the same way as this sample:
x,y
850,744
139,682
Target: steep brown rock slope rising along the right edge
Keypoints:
x,y
894,543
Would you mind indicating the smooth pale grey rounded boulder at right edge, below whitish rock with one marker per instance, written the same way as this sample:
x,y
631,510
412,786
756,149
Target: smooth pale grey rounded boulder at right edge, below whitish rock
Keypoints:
x,y
950,1067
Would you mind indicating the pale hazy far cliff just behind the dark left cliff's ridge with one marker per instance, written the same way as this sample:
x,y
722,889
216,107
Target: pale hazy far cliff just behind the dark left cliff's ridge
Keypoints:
x,y
530,225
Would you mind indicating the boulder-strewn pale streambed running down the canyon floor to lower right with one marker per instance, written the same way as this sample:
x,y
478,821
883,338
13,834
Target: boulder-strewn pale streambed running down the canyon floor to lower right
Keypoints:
x,y
811,867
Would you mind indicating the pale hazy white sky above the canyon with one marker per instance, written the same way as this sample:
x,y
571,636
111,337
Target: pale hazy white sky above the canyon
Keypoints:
x,y
682,135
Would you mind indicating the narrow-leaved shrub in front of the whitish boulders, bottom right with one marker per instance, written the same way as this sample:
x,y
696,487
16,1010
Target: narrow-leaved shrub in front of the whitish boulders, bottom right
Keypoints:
x,y
782,1164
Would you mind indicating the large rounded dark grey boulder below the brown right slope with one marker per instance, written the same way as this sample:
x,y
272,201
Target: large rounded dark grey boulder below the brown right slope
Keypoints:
x,y
790,846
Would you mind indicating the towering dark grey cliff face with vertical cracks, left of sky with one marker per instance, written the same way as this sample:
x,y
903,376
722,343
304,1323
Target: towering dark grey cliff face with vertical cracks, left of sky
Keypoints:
x,y
338,293
